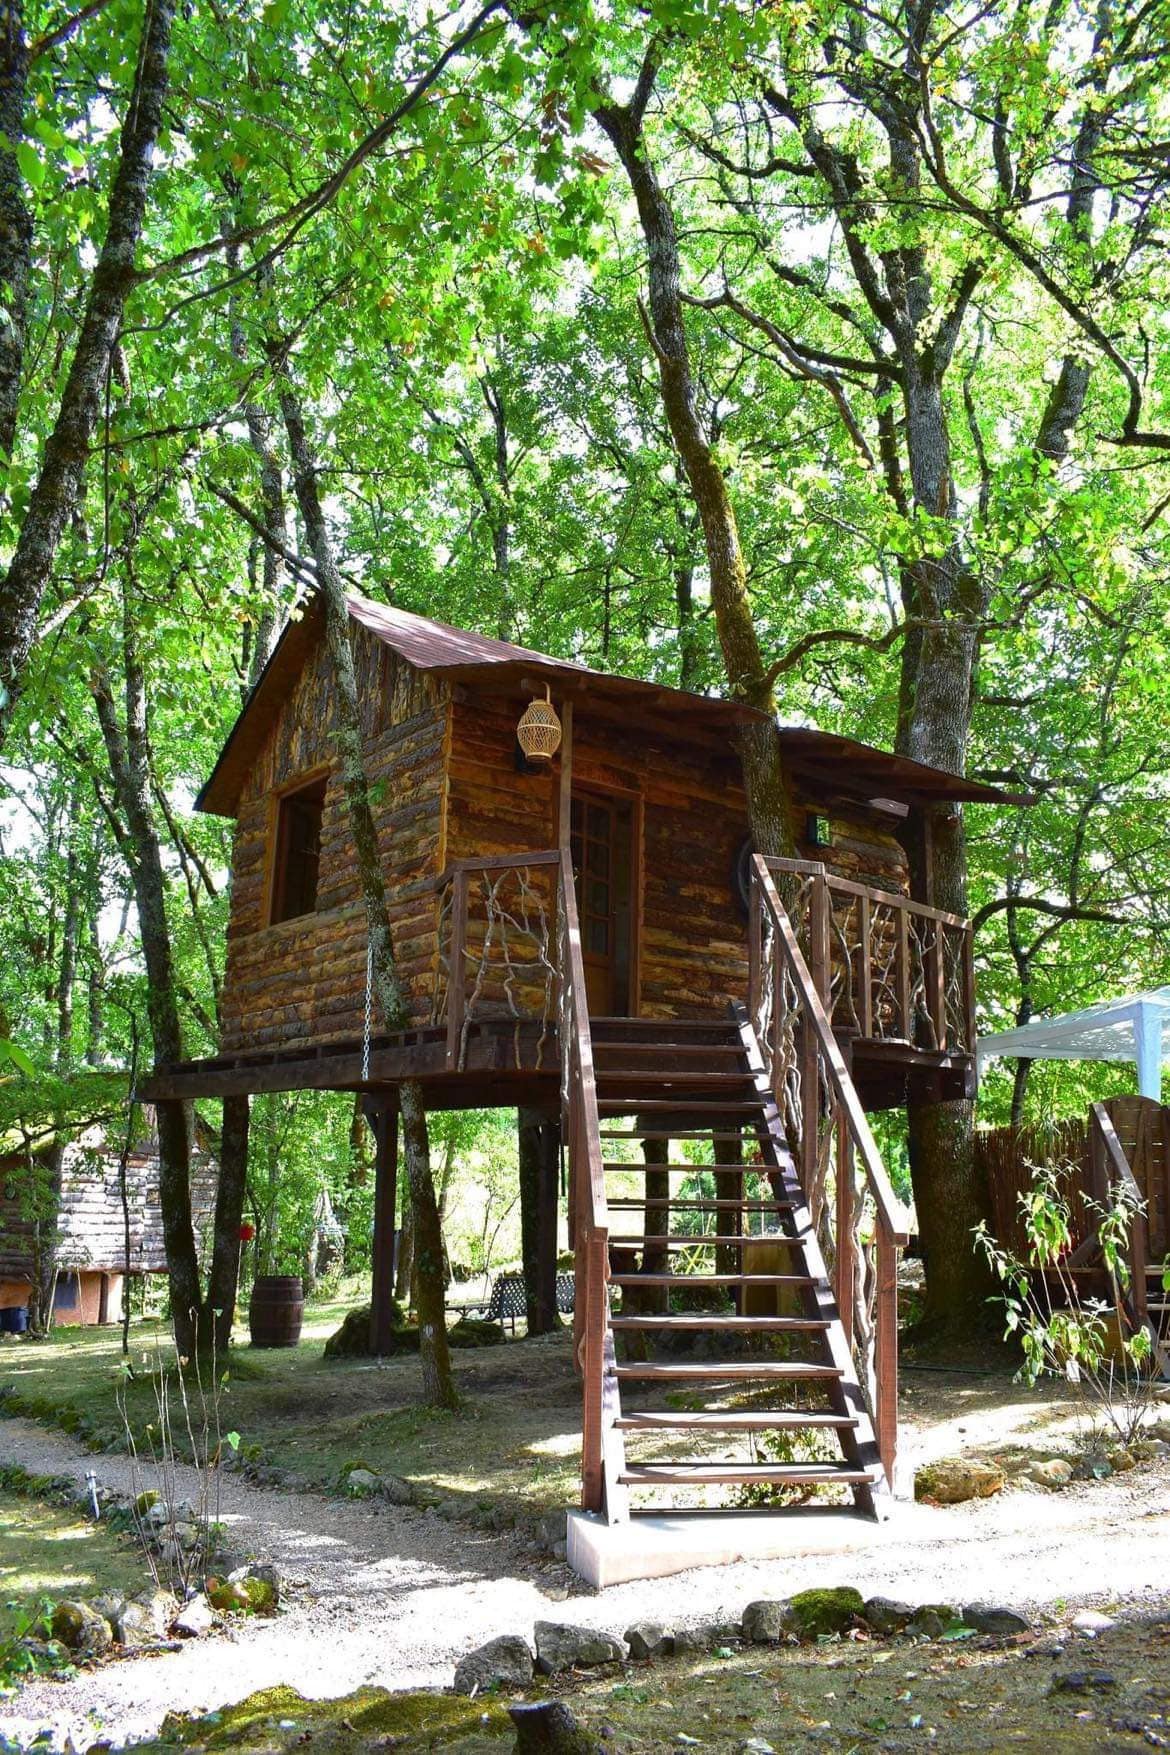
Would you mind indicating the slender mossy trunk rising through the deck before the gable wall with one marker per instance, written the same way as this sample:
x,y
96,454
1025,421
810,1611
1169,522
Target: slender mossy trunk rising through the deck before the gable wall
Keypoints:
x,y
434,1356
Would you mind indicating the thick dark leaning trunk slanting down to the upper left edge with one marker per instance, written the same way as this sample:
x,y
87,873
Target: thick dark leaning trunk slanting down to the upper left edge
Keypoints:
x,y
59,487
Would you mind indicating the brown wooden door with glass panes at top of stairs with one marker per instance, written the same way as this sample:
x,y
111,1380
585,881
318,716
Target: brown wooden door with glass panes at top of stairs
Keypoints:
x,y
601,854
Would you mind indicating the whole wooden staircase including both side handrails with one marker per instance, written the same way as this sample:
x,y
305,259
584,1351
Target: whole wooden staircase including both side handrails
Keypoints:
x,y
720,1345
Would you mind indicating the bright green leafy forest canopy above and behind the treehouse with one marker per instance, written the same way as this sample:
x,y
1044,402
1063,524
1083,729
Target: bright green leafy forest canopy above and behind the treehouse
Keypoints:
x,y
815,355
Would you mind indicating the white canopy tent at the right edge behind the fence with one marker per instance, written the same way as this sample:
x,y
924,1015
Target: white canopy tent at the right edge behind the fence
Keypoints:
x,y
1120,1029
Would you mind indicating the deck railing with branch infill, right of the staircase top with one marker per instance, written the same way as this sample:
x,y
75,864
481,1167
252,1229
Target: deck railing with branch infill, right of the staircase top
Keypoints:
x,y
887,968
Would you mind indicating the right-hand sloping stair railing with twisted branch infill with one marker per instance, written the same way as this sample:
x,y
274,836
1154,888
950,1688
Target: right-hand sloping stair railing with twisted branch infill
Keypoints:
x,y
859,1219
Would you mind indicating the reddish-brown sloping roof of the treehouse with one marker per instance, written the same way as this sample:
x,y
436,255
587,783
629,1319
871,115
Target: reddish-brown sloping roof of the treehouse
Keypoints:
x,y
450,652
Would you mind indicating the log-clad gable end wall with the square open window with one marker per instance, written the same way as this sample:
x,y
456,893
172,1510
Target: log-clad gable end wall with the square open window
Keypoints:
x,y
303,982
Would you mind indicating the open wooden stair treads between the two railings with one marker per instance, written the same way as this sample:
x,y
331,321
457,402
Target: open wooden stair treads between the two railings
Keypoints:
x,y
759,1389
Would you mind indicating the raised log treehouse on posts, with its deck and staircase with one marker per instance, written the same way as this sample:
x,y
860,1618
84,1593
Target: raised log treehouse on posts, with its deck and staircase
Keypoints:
x,y
592,935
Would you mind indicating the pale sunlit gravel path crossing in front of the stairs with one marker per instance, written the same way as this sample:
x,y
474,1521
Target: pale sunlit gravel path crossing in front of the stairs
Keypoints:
x,y
396,1596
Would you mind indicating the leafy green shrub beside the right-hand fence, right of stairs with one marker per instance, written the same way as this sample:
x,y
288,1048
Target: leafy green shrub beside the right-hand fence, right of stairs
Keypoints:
x,y
1095,1345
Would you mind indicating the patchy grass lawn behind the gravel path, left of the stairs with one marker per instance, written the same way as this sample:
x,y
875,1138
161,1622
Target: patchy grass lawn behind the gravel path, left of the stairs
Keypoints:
x,y
515,1442
